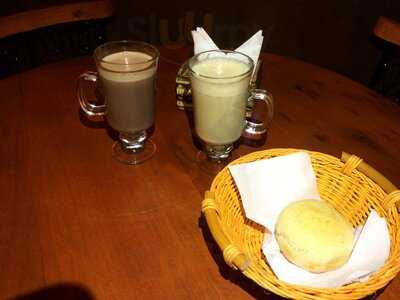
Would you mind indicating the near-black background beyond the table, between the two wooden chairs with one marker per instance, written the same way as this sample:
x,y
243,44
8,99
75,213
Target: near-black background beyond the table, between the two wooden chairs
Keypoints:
x,y
335,34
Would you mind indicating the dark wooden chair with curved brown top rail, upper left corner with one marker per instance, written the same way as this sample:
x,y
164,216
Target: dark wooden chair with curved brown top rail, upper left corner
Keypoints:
x,y
35,37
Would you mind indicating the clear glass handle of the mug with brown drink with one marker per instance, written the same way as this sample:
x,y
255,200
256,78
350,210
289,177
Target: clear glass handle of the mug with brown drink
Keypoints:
x,y
88,106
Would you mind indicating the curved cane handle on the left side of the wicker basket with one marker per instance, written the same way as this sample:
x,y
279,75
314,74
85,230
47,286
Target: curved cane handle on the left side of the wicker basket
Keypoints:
x,y
232,255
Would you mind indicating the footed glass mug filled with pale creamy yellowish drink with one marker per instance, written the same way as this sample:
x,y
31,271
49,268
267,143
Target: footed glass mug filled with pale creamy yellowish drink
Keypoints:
x,y
223,106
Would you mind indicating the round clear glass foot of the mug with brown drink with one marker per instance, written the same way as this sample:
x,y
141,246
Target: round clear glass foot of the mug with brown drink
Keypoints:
x,y
132,156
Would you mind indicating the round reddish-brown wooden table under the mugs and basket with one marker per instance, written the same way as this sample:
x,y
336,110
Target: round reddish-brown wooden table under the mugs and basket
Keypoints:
x,y
76,224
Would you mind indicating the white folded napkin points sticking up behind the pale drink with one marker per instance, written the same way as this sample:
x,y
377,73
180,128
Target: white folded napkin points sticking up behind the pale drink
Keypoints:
x,y
252,47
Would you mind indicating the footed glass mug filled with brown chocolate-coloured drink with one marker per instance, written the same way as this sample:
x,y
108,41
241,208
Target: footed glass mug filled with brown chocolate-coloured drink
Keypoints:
x,y
126,74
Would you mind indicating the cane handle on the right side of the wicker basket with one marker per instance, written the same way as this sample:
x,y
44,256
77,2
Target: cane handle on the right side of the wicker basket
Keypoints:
x,y
393,197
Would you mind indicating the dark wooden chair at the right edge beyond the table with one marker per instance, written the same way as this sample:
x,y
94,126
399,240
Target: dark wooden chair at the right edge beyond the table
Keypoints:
x,y
386,79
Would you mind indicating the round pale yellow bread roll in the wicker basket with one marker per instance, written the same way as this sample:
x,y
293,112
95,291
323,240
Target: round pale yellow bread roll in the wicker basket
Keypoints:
x,y
314,236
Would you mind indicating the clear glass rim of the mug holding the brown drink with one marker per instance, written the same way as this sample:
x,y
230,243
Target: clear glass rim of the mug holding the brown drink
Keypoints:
x,y
126,42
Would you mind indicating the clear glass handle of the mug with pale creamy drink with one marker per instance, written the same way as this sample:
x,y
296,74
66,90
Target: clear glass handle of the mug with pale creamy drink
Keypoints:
x,y
257,121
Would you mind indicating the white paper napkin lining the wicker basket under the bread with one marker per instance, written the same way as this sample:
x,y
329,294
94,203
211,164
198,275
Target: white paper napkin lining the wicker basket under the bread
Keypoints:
x,y
268,186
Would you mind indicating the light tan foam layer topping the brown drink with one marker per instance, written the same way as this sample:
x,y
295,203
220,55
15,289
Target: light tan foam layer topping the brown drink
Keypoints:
x,y
127,66
